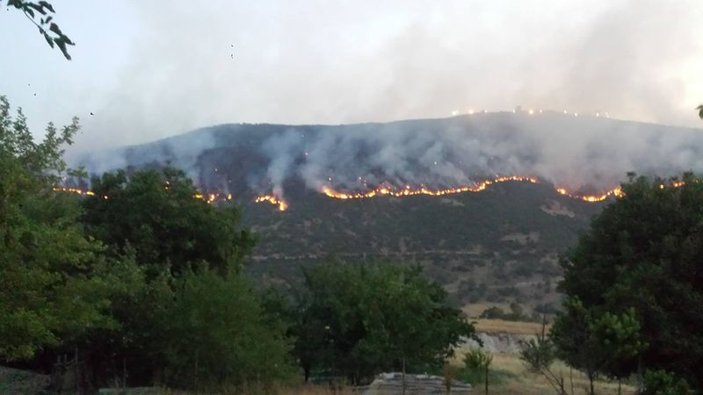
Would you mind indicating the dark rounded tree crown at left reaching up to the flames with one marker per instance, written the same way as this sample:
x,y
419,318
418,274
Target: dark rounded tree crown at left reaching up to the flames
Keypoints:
x,y
154,213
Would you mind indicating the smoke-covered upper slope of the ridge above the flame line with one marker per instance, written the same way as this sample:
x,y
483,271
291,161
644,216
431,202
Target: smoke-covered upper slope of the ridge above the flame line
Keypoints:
x,y
581,153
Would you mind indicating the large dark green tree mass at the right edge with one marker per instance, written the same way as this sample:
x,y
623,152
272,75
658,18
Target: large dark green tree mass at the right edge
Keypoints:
x,y
633,309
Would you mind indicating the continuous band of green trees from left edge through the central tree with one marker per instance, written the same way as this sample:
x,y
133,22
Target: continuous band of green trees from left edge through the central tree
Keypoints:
x,y
142,284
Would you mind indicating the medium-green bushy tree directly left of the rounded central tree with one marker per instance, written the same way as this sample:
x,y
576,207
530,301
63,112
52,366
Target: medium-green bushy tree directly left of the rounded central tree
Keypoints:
x,y
216,333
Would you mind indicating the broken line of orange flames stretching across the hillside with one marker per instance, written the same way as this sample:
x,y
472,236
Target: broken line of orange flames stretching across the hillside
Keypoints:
x,y
282,205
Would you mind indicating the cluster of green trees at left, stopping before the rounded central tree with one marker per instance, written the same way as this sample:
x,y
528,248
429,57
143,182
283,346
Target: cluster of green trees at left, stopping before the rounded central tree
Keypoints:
x,y
141,282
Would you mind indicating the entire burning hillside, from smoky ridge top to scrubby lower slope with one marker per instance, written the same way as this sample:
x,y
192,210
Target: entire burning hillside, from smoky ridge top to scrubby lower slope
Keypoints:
x,y
500,244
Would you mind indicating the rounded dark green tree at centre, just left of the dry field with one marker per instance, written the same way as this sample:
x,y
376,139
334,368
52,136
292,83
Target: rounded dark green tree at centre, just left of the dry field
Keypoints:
x,y
358,320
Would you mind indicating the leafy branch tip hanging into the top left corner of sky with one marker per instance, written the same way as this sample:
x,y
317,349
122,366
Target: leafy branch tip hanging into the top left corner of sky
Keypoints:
x,y
41,14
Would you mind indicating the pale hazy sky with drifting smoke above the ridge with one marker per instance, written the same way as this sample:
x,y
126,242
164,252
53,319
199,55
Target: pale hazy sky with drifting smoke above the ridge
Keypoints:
x,y
150,69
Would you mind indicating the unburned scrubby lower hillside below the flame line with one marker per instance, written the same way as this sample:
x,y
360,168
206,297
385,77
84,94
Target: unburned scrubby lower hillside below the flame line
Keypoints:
x,y
497,245
